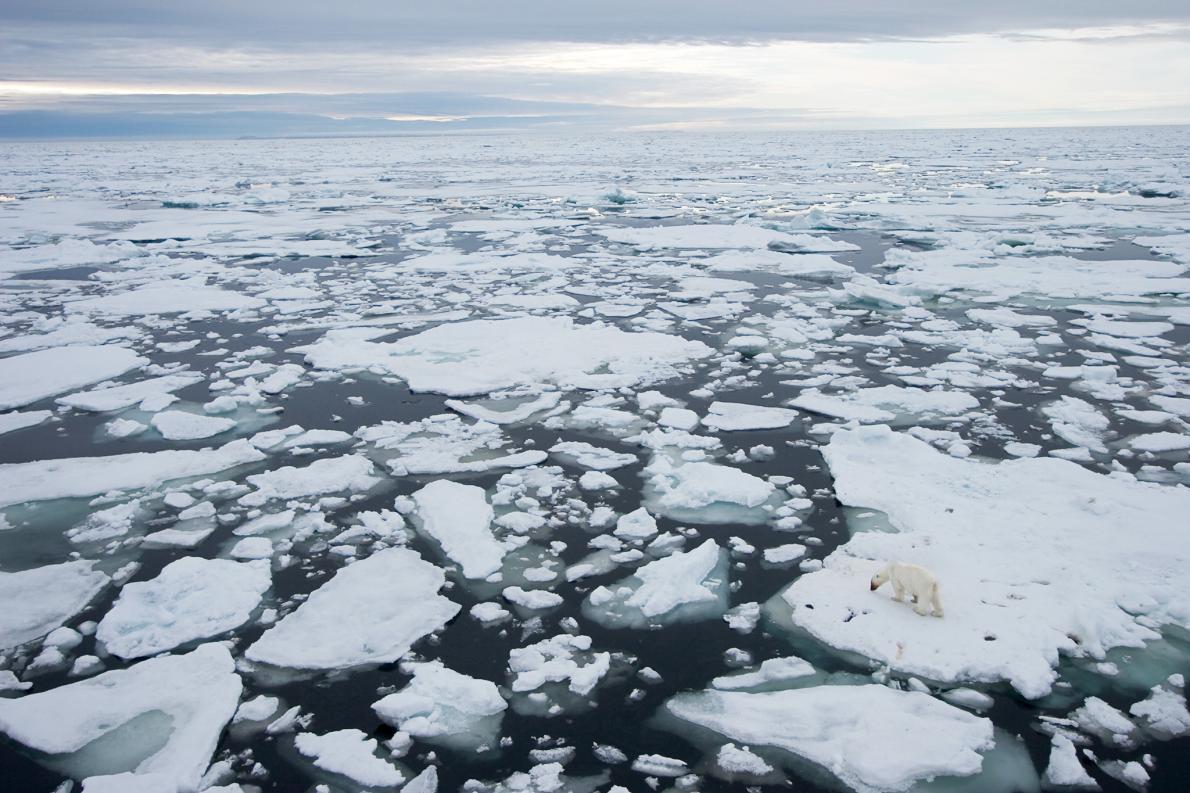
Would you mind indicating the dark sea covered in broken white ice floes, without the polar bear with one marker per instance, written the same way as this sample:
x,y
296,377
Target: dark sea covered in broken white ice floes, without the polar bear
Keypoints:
x,y
563,464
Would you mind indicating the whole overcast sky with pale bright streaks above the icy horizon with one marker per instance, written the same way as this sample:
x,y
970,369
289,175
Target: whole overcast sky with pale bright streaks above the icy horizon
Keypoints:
x,y
362,67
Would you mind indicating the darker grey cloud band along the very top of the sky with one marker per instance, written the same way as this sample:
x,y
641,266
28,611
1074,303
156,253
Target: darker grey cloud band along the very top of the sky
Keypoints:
x,y
372,23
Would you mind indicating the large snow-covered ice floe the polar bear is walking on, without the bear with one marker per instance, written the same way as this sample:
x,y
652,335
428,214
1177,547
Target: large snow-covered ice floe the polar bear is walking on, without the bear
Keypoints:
x,y
1030,555
